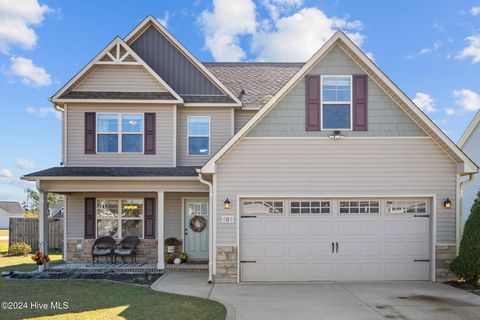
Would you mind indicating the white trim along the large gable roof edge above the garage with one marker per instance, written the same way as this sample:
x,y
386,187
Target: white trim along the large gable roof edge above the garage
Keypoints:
x,y
464,164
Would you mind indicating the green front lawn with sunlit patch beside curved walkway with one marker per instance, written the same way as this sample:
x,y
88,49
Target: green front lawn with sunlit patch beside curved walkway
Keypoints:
x,y
94,299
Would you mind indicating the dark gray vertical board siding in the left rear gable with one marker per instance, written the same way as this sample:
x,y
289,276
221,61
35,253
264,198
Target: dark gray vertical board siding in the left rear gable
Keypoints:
x,y
171,65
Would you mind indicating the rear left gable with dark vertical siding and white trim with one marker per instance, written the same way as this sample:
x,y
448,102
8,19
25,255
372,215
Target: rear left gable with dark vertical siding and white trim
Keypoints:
x,y
174,63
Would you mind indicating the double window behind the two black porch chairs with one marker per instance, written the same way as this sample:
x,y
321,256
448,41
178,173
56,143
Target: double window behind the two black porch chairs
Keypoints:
x,y
119,218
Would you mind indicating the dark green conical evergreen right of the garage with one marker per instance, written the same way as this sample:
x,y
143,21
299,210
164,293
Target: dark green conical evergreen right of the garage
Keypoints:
x,y
467,265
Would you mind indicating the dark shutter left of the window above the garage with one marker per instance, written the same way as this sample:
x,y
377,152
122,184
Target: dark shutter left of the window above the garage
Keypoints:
x,y
312,103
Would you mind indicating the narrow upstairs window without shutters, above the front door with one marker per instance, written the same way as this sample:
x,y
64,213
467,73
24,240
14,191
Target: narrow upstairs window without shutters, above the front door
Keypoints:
x,y
198,136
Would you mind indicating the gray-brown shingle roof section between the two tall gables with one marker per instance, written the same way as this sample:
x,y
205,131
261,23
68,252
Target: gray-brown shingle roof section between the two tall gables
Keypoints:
x,y
260,80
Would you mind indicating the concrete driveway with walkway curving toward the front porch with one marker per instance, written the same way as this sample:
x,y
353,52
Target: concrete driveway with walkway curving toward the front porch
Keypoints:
x,y
365,300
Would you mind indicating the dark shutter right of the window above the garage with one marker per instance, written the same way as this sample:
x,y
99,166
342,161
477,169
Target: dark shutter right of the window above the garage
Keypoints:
x,y
360,104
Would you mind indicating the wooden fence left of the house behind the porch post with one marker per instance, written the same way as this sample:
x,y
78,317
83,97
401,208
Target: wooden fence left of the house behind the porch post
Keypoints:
x,y
26,230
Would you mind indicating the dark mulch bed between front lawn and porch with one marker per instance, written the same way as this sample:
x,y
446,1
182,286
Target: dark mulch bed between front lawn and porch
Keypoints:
x,y
145,279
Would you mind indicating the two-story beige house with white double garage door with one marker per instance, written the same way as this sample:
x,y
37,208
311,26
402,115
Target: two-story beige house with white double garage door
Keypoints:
x,y
321,170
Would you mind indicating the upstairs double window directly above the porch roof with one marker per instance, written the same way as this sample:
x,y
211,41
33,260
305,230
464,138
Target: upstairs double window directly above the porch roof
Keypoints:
x,y
120,132
